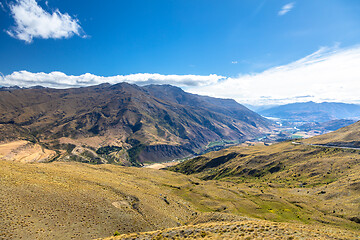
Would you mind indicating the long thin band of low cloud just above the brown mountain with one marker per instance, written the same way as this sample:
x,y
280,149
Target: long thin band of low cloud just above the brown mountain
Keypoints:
x,y
61,80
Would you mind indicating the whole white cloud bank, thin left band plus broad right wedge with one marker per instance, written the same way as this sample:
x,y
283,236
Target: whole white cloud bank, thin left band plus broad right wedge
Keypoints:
x,y
329,74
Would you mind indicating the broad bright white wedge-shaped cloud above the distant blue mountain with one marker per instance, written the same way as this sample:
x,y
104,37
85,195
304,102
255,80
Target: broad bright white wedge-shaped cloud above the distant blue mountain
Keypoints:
x,y
329,74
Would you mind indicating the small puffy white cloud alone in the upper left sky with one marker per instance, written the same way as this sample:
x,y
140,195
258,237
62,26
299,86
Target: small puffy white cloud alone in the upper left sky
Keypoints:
x,y
32,21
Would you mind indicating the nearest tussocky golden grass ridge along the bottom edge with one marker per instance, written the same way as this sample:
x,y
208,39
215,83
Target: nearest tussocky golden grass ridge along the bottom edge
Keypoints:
x,y
247,229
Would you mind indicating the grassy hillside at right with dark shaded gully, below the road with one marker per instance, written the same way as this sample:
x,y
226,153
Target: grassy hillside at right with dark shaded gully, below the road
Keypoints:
x,y
318,183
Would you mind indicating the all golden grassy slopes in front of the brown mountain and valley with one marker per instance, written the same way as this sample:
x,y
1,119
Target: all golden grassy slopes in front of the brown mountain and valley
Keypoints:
x,y
82,201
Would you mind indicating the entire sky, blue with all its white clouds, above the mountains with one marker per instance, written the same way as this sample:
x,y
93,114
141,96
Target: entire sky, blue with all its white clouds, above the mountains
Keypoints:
x,y
256,52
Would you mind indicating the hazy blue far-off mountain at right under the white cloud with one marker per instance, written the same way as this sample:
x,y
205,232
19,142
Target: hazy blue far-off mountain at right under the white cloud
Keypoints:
x,y
313,112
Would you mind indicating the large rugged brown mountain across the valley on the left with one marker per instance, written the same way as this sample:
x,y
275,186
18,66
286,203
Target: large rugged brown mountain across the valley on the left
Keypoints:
x,y
123,123
